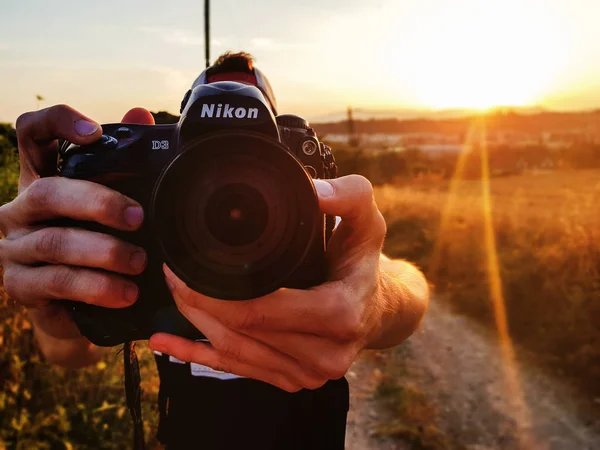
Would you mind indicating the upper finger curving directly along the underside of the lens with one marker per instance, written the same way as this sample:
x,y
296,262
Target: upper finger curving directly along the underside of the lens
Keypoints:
x,y
319,310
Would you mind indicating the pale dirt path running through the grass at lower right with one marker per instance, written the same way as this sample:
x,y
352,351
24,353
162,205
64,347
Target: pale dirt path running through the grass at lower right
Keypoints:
x,y
459,367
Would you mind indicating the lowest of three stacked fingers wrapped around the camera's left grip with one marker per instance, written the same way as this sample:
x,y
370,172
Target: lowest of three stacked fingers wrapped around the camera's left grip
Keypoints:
x,y
32,286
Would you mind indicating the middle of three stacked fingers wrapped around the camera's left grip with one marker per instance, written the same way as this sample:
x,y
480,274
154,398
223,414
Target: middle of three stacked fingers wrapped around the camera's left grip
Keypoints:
x,y
75,247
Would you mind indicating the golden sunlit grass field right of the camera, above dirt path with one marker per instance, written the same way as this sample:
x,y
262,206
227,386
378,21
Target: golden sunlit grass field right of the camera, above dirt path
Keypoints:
x,y
542,253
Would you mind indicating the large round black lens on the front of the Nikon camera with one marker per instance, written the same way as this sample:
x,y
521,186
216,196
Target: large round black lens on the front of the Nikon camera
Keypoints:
x,y
235,214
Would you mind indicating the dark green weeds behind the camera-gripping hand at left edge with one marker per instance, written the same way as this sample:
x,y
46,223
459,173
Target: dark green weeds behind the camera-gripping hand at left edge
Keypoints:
x,y
47,408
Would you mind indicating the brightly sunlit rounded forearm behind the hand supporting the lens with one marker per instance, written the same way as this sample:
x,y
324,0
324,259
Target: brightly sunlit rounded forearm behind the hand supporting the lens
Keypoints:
x,y
402,297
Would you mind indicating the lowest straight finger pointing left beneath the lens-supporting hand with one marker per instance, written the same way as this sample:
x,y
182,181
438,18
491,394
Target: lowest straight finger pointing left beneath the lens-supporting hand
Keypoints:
x,y
205,354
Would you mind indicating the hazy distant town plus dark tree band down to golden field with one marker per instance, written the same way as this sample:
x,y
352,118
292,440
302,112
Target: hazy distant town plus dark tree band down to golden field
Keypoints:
x,y
515,141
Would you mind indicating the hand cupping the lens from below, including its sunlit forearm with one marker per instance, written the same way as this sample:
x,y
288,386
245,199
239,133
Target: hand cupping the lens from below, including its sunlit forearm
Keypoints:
x,y
298,339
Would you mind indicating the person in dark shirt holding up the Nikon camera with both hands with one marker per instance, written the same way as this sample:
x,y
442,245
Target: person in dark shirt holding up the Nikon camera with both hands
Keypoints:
x,y
270,372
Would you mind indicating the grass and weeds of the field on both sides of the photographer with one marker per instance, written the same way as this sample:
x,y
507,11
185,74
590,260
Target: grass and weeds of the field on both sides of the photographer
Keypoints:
x,y
519,254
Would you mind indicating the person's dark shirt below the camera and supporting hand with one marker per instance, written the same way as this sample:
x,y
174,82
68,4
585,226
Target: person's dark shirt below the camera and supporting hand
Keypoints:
x,y
205,409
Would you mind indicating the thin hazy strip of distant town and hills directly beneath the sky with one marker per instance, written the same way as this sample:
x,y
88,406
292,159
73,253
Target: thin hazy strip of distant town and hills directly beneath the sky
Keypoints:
x,y
503,128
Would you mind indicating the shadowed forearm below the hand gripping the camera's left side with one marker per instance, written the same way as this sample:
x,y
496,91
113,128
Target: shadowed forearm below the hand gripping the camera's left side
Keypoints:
x,y
60,340
